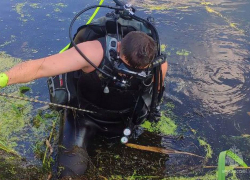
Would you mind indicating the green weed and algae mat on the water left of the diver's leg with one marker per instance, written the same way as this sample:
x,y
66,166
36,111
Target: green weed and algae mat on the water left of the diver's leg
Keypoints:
x,y
18,129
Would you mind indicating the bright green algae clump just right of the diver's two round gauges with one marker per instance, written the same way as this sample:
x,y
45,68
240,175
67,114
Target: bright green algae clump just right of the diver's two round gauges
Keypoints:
x,y
165,126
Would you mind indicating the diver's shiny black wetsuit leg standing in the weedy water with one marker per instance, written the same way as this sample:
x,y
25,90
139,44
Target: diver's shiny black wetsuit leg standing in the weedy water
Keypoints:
x,y
75,133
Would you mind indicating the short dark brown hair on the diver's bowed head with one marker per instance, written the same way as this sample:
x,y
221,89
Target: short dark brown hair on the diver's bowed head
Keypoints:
x,y
138,48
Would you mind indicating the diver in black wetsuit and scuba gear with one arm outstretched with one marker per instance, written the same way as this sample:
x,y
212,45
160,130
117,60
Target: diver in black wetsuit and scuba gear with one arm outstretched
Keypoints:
x,y
114,68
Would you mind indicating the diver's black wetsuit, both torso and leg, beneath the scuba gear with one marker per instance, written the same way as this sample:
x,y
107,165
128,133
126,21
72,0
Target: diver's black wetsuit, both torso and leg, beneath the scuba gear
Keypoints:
x,y
113,109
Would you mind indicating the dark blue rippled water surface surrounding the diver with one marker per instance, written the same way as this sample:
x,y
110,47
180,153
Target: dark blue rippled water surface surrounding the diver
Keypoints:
x,y
207,84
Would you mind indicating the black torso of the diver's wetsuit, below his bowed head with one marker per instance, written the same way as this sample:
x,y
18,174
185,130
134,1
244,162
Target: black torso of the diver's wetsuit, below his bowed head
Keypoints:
x,y
115,105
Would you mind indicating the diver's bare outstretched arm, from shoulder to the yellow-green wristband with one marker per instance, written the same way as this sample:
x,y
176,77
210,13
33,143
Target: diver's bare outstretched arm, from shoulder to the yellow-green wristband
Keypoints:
x,y
67,61
